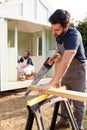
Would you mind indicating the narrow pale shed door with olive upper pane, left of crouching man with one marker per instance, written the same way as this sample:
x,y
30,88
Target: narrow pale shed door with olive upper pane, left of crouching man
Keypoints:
x,y
12,55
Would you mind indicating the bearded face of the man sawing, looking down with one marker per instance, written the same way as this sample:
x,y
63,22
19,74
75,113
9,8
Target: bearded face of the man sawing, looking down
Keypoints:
x,y
58,30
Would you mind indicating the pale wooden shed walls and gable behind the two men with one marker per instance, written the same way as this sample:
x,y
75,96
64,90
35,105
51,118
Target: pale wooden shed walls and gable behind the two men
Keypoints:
x,y
13,42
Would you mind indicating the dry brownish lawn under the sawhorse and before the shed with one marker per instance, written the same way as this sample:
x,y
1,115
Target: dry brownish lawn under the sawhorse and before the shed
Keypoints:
x,y
13,112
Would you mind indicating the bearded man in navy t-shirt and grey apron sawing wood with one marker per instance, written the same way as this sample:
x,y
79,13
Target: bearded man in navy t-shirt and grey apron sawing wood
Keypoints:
x,y
72,69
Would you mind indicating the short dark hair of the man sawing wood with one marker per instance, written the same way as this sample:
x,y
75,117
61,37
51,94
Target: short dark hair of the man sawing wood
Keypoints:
x,y
61,17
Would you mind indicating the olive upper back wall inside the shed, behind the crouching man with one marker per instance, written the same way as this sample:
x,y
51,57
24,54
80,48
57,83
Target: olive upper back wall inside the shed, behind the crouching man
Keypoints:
x,y
28,41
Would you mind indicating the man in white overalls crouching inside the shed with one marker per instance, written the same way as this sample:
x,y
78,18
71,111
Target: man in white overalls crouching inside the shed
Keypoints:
x,y
25,65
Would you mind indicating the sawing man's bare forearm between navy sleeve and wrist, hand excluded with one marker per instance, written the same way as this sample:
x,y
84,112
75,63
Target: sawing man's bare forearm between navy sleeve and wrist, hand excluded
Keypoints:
x,y
63,66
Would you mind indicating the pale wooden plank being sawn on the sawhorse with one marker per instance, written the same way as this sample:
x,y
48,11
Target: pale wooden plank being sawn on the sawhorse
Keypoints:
x,y
79,96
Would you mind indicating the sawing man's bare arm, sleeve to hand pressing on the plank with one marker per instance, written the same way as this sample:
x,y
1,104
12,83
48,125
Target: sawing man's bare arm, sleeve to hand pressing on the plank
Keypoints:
x,y
61,69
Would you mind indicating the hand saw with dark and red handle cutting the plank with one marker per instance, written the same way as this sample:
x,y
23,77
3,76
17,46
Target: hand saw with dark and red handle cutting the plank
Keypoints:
x,y
44,69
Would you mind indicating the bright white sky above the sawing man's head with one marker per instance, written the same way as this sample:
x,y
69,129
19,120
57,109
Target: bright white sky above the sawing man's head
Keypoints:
x,y
77,8
